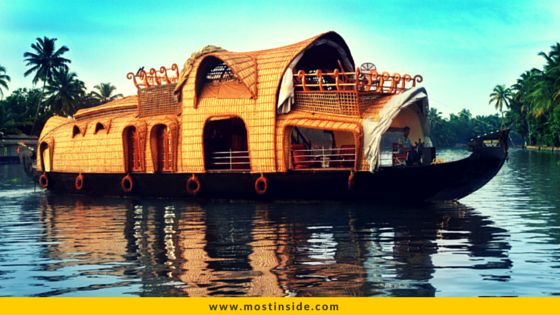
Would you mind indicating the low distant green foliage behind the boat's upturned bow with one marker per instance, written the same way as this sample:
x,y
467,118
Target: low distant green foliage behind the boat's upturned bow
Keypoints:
x,y
459,128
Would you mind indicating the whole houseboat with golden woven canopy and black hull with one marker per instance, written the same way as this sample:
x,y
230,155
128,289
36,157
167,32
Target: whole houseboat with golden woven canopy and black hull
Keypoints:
x,y
300,121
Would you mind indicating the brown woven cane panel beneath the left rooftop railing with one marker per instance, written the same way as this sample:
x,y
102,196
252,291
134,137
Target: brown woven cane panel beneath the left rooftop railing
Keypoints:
x,y
157,100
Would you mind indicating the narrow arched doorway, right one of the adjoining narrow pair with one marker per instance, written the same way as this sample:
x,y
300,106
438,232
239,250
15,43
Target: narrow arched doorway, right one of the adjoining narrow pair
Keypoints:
x,y
161,148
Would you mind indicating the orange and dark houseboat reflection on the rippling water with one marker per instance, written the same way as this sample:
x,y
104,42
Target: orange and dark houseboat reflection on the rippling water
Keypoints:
x,y
175,248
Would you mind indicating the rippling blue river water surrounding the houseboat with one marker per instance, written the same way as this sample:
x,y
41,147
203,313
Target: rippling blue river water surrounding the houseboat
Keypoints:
x,y
503,240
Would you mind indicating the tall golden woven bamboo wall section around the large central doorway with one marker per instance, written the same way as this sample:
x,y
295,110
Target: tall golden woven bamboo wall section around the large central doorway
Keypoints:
x,y
259,115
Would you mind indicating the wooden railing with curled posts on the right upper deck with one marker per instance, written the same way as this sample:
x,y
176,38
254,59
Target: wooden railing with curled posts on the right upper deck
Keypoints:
x,y
382,83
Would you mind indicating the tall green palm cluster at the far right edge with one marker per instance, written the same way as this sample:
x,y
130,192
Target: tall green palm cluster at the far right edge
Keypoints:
x,y
531,106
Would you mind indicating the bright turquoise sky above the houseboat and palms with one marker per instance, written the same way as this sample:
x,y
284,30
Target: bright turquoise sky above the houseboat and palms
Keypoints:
x,y
461,48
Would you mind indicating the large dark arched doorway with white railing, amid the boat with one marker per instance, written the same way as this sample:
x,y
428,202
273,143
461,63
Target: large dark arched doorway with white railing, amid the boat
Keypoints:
x,y
225,144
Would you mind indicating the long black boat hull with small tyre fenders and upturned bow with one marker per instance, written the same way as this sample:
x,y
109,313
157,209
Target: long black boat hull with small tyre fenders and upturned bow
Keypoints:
x,y
445,181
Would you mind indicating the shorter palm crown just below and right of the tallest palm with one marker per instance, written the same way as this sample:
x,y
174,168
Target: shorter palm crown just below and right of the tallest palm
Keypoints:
x,y
64,92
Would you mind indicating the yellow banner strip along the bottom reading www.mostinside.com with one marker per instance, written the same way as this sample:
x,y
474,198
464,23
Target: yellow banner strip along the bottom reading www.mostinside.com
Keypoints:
x,y
338,306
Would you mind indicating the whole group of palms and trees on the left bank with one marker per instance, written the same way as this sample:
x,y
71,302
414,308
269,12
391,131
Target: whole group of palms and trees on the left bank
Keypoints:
x,y
62,93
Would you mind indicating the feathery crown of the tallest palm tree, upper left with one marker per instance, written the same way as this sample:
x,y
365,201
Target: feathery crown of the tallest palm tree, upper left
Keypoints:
x,y
46,60
